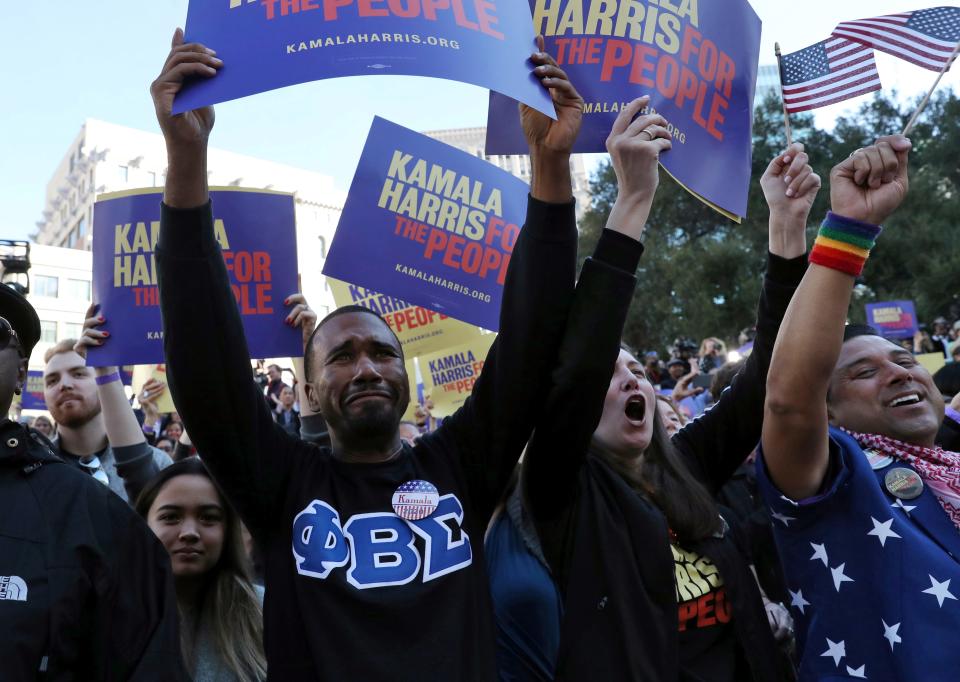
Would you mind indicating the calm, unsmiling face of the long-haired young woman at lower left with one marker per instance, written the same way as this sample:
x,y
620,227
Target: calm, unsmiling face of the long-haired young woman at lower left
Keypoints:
x,y
189,519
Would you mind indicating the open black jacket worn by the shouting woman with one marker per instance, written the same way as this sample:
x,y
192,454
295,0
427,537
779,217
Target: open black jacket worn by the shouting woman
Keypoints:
x,y
608,546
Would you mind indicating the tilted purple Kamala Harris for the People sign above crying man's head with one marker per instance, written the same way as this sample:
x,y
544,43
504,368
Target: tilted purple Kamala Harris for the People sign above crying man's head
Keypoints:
x,y
430,224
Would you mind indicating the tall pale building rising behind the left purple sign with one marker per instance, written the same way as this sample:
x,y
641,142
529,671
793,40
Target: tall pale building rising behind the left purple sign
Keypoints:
x,y
105,157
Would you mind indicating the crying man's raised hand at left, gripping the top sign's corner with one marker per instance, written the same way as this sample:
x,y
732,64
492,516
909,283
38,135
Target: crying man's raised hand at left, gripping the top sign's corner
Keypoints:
x,y
190,129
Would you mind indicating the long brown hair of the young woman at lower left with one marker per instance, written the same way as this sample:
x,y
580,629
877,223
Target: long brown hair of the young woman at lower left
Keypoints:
x,y
229,602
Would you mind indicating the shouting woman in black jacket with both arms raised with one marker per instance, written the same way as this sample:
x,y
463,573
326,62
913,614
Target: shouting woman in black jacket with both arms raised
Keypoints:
x,y
653,585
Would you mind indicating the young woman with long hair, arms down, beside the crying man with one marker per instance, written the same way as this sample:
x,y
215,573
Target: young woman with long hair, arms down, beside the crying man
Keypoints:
x,y
221,614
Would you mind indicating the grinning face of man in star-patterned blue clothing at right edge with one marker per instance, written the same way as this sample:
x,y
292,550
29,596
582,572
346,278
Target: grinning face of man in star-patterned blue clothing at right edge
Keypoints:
x,y
878,387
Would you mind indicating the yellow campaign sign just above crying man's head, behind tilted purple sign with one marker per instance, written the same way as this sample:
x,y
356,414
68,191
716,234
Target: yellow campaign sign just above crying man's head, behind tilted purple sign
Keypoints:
x,y
420,330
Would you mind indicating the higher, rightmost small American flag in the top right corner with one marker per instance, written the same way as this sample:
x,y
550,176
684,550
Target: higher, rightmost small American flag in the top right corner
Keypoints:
x,y
927,37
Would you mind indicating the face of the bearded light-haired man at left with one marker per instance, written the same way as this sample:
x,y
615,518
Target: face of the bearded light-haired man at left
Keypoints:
x,y
70,390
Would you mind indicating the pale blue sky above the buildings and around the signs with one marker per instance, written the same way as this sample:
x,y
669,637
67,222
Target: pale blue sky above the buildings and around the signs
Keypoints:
x,y
64,61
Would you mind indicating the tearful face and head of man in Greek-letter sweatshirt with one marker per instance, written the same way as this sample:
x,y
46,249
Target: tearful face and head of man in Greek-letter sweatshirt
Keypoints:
x,y
358,380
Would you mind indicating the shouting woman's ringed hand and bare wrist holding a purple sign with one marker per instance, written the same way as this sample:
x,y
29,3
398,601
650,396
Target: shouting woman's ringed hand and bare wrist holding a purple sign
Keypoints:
x,y
635,147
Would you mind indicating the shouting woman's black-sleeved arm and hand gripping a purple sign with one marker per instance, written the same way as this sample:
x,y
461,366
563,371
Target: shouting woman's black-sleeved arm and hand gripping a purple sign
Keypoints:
x,y
591,341
